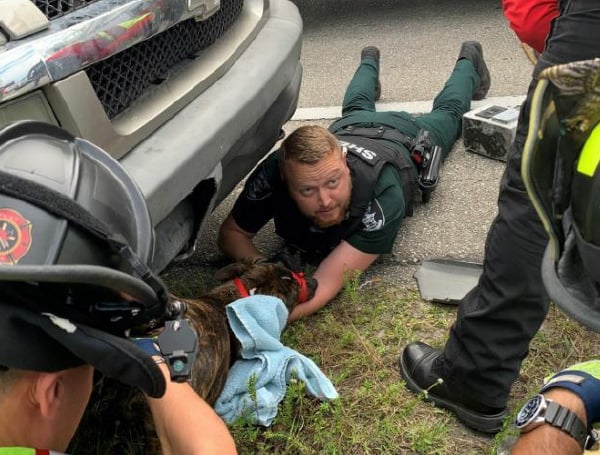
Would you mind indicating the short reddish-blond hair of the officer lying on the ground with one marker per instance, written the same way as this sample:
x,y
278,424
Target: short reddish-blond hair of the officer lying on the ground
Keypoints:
x,y
308,144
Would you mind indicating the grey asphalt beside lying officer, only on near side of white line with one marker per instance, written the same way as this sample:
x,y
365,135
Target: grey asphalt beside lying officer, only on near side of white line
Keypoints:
x,y
453,224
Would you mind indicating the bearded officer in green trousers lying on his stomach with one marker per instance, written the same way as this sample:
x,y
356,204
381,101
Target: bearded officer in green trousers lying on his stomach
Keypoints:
x,y
340,195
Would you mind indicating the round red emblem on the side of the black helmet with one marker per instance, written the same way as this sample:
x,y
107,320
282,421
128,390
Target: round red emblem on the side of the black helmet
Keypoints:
x,y
15,236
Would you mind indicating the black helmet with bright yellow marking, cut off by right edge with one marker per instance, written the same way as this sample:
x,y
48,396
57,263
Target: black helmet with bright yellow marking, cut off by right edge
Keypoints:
x,y
561,170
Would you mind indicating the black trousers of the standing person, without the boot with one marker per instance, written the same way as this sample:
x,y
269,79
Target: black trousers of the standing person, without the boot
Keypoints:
x,y
498,318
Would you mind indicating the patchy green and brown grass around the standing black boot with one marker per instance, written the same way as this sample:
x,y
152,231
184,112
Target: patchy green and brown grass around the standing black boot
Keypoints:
x,y
356,340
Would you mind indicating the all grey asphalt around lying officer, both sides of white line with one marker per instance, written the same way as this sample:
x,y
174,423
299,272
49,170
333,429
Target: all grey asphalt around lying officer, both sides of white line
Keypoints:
x,y
455,222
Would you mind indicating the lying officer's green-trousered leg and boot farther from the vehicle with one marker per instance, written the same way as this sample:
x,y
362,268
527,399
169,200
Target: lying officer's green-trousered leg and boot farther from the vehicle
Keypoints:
x,y
469,76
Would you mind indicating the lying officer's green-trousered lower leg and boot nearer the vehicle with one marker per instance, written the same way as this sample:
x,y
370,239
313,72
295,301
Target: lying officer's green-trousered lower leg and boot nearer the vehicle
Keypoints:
x,y
364,88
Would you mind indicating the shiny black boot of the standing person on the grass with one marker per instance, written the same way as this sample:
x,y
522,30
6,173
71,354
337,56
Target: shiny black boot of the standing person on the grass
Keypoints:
x,y
416,366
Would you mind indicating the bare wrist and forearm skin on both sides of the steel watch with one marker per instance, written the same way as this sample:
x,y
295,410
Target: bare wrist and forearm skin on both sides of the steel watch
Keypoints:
x,y
547,439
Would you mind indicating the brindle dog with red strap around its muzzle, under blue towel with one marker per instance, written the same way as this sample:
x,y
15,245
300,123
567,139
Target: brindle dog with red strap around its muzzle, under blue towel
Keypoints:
x,y
119,416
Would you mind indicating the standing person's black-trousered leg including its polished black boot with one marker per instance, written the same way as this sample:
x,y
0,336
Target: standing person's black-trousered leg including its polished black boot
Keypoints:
x,y
497,319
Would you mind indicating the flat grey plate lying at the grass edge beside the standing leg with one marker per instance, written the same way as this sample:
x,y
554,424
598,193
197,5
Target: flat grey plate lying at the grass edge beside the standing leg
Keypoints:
x,y
447,280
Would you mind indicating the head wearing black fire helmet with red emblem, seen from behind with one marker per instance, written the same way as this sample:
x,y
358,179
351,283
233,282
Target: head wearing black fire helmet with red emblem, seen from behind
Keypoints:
x,y
75,238
